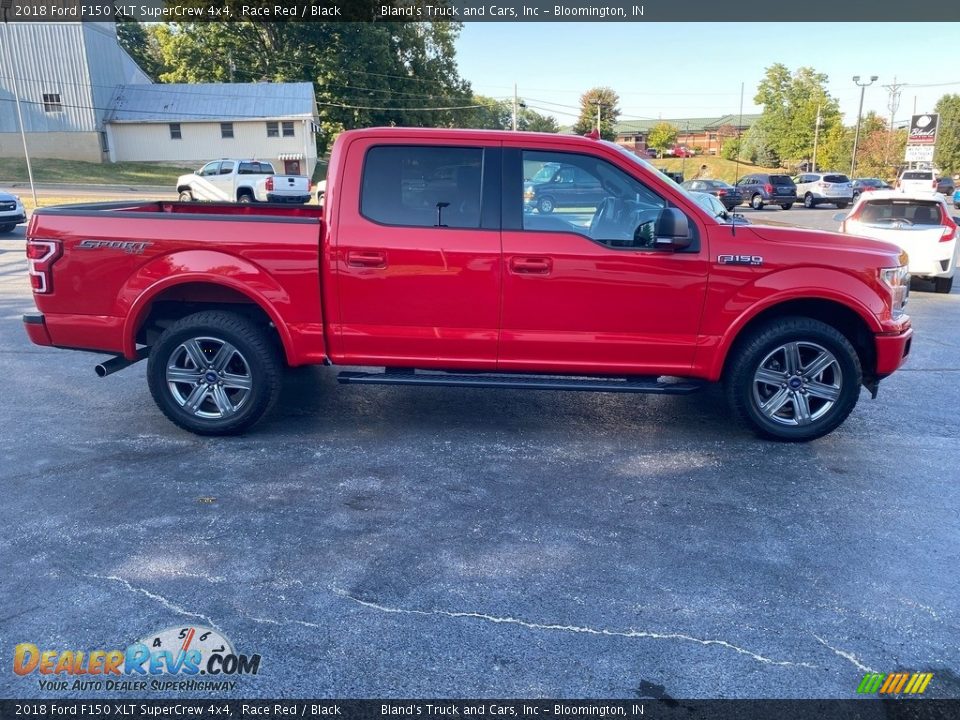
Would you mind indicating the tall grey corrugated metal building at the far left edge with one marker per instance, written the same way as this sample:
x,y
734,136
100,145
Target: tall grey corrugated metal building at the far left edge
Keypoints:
x,y
67,73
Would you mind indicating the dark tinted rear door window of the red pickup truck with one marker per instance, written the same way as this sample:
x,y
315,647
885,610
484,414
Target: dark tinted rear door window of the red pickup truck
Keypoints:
x,y
422,186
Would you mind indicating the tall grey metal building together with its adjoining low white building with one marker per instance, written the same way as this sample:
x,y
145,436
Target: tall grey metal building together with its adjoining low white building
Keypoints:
x,y
84,98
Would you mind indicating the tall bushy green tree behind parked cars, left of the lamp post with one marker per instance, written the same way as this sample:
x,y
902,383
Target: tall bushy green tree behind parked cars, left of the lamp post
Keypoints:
x,y
785,130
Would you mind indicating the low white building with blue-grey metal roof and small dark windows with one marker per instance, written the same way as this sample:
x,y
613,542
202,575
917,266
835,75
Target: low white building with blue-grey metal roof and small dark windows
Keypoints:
x,y
192,123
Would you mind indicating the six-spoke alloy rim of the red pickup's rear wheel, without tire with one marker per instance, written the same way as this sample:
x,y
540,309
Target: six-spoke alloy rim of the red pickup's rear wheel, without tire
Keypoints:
x,y
209,378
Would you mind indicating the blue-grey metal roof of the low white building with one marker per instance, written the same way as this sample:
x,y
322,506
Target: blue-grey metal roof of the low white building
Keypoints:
x,y
198,102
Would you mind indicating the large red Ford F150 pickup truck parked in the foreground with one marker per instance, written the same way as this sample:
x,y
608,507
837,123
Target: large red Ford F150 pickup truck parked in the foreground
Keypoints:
x,y
432,263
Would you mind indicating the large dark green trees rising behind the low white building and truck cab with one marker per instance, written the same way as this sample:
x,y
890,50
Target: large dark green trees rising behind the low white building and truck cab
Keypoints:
x,y
364,74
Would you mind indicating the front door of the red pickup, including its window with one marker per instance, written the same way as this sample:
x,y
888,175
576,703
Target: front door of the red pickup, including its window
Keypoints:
x,y
584,290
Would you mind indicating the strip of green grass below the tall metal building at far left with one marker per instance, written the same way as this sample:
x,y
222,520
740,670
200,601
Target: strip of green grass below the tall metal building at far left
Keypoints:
x,y
73,171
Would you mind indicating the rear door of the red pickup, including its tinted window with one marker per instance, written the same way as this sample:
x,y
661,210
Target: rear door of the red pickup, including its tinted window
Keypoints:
x,y
417,259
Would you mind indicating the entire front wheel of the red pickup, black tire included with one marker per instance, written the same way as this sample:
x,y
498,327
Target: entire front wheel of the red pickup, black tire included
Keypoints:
x,y
794,379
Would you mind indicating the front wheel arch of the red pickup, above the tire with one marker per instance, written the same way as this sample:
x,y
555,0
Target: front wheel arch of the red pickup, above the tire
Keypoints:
x,y
851,322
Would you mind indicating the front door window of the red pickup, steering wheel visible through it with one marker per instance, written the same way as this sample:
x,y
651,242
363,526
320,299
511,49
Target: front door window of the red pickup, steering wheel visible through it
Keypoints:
x,y
600,201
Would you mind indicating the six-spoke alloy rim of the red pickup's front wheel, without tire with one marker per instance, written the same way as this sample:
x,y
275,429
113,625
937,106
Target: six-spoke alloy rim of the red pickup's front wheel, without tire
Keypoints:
x,y
797,383
